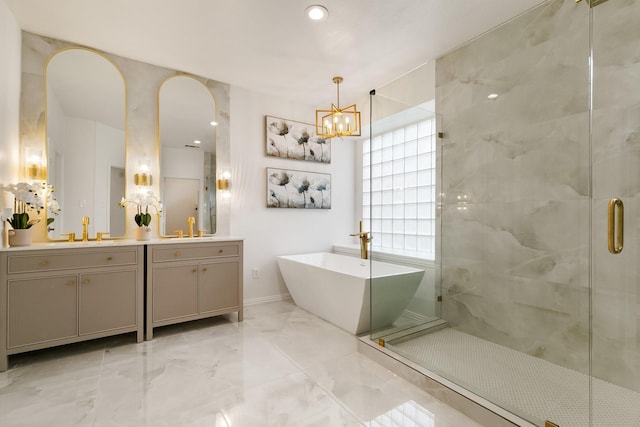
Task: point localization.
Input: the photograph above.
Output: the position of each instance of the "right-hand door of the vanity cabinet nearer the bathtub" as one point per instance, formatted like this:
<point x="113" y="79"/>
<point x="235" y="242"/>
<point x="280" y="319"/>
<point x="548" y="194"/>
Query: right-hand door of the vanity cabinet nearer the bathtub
<point x="219" y="285"/>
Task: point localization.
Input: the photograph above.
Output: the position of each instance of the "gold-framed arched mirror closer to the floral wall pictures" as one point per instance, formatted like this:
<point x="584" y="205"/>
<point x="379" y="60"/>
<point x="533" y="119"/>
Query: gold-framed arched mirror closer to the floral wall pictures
<point x="187" y="155"/>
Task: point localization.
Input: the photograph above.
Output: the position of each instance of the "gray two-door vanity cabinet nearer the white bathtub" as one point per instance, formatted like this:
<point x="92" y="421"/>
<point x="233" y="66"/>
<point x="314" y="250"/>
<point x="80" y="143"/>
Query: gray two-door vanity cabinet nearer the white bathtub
<point x="195" y="280"/>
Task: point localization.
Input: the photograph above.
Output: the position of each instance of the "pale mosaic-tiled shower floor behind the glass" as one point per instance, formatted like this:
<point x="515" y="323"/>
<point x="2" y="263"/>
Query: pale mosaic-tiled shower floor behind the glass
<point x="535" y="389"/>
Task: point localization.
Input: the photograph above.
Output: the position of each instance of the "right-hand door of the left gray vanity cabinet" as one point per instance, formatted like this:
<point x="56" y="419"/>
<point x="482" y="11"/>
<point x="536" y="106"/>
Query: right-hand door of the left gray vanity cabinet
<point x="107" y="301"/>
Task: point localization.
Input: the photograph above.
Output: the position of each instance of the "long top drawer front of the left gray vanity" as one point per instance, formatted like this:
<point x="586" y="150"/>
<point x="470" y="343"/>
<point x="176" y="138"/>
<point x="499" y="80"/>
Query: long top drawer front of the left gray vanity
<point x="34" y="262"/>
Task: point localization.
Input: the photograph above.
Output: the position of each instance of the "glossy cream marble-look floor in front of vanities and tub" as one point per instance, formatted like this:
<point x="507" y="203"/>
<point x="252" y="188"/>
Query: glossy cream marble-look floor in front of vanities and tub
<point x="280" y="367"/>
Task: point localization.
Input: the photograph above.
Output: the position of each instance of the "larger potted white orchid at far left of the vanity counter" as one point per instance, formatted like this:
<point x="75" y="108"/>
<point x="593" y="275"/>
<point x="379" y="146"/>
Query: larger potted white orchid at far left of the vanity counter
<point x="29" y="197"/>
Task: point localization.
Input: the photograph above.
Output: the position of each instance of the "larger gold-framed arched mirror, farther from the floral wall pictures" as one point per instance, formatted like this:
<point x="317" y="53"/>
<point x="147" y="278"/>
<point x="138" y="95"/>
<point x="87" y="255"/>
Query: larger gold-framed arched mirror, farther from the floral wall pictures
<point x="85" y="125"/>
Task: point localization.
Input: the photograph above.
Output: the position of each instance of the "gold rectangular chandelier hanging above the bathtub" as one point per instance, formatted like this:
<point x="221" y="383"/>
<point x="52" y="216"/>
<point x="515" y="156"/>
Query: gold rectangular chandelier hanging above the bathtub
<point x="338" y="121"/>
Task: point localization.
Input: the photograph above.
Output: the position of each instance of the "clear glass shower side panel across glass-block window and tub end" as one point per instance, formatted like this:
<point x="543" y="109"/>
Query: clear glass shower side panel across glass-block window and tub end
<point x="399" y="182"/>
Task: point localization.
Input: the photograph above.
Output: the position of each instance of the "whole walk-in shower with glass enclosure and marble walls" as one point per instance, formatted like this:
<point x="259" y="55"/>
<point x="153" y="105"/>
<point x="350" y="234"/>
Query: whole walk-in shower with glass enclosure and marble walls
<point x="509" y="186"/>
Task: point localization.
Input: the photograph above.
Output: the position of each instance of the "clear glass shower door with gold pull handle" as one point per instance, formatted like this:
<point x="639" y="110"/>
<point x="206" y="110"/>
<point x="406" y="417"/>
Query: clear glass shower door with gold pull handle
<point x="615" y="142"/>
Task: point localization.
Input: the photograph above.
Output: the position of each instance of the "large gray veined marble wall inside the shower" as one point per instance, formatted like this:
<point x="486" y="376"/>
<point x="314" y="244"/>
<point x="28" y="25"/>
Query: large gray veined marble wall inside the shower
<point x="524" y="236"/>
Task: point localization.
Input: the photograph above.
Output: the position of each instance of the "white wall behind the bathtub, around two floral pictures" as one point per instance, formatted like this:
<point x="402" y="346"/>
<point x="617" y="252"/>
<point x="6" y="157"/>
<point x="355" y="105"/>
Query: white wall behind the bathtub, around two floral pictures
<point x="270" y="232"/>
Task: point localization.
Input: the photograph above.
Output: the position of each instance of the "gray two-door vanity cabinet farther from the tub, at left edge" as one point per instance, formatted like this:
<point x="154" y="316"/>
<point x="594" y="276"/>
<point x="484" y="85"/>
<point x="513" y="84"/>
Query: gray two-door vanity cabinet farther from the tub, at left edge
<point x="63" y="295"/>
